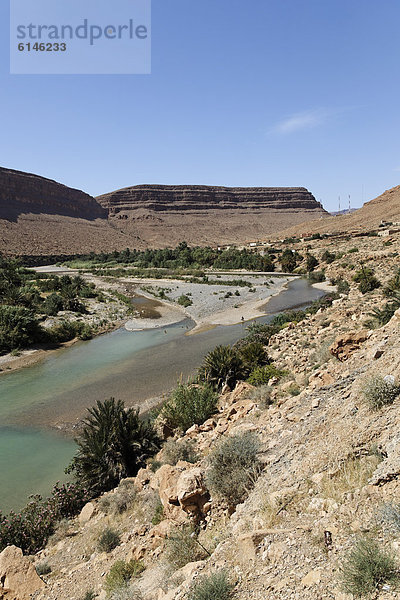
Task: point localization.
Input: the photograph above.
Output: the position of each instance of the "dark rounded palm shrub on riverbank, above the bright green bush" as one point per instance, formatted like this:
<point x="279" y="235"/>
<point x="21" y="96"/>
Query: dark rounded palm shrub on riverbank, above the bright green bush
<point x="221" y="366"/>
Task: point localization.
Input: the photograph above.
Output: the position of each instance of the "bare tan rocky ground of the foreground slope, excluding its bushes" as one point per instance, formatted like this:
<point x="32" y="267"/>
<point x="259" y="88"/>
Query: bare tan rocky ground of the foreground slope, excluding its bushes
<point x="330" y="465"/>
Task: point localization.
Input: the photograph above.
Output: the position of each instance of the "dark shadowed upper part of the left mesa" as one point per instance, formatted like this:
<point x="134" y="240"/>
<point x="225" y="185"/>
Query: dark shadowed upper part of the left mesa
<point x="22" y="193"/>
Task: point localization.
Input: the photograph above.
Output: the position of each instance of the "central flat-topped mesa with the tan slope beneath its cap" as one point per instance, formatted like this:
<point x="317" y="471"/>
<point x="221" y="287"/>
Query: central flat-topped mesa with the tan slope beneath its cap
<point x="203" y="215"/>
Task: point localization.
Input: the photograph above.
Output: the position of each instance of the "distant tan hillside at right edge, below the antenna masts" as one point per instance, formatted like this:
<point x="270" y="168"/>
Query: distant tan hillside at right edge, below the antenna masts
<point x="385" y="207"/>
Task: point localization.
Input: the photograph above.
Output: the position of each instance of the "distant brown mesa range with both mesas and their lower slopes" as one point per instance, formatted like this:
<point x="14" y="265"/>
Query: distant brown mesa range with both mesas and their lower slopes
<point x="39" y="216"/>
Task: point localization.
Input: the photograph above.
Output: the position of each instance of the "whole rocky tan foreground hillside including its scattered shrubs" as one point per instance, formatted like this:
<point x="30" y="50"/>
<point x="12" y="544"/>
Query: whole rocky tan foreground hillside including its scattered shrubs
<point x="315" y="516"/>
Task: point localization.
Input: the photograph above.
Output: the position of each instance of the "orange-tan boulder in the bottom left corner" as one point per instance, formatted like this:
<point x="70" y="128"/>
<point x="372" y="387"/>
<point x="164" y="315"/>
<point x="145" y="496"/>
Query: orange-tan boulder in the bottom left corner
<point x="18" y="577"/>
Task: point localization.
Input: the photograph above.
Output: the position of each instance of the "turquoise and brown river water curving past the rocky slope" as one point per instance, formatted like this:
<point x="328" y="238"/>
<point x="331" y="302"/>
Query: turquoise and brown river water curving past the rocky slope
<point x="132" y="366"/>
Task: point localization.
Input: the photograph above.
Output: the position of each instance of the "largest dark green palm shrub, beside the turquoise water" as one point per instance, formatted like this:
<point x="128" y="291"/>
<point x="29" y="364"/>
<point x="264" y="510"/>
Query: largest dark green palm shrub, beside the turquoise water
<point x="113" y="444"/>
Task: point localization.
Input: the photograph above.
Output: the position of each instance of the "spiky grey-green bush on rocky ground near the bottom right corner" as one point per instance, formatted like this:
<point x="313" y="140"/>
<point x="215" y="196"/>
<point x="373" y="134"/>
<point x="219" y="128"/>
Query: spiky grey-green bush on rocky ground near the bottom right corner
<point x="366" y="568"/>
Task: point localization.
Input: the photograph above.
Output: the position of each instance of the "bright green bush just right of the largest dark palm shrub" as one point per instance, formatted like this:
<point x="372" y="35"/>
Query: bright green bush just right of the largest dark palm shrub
<point x="189" y="405"/>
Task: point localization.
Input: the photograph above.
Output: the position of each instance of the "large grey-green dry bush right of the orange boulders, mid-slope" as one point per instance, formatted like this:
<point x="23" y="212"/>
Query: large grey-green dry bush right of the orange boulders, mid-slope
<point x="234" y="467"/>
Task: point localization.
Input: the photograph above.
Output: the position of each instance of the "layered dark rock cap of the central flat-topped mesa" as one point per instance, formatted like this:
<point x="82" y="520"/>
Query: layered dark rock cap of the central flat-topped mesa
<point x="171" y="198"/>
